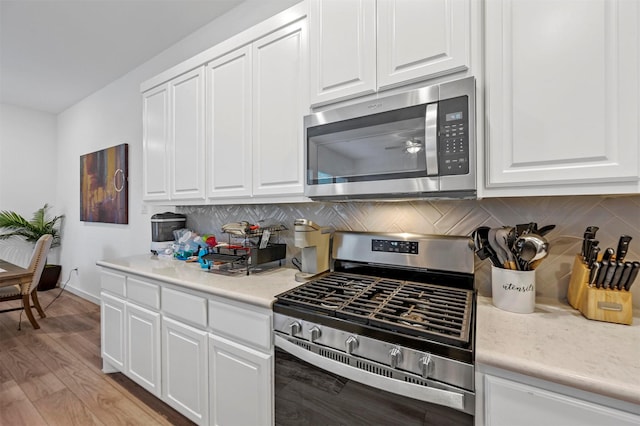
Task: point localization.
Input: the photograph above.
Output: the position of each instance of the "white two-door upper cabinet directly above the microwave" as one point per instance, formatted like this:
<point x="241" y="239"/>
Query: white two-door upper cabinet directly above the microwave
<point x="361" y="46"/>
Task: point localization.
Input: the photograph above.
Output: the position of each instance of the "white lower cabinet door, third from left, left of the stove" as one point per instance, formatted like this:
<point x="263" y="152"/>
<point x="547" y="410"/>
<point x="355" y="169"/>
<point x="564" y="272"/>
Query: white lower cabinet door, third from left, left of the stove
<point x="185" y="370"/>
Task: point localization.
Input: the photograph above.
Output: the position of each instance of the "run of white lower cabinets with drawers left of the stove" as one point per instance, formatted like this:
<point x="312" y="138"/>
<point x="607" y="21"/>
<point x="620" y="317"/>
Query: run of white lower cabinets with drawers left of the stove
<point x="208" y="357"/>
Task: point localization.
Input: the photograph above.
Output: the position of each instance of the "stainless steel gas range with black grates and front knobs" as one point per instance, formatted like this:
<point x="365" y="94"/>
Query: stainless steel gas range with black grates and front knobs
<point x="386" y="337"/>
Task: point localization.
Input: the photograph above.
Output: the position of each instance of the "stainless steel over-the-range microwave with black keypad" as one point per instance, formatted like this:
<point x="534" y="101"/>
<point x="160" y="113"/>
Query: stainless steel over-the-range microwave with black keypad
<point x="417" y="144"/>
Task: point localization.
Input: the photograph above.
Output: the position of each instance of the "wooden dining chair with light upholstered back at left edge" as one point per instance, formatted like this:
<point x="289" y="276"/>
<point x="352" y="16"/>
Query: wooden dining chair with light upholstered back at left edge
<point x="24" y="291"/>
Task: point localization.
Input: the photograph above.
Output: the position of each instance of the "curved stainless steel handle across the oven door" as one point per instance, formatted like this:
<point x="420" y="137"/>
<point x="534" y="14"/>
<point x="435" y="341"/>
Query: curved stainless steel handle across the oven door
<point x="428" y="394"/>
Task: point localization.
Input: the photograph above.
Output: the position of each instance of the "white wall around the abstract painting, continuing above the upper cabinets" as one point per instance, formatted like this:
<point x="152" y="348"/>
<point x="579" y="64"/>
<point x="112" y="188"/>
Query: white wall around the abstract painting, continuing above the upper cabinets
<point x="113" y="116"/>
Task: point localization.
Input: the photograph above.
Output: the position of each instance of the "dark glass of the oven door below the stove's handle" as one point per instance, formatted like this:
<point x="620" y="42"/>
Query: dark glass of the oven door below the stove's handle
<point x="307" y="395"/>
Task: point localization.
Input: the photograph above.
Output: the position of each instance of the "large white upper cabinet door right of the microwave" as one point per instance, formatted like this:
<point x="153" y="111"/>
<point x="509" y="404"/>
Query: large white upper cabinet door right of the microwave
<point x="562" y="93"/>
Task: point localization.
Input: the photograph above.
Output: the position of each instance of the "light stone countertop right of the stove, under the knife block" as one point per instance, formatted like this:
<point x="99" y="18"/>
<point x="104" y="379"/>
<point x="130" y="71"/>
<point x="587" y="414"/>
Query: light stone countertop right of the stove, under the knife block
<point x="556" y="343"/>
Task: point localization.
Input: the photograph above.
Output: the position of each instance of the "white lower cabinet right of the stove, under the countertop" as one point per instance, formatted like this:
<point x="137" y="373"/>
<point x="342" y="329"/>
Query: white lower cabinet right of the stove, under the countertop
<point x="511" y="399"/>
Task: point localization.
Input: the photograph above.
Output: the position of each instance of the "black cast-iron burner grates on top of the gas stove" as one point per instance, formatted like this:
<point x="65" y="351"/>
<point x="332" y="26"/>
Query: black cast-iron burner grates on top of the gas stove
<point x="406" y="307"/>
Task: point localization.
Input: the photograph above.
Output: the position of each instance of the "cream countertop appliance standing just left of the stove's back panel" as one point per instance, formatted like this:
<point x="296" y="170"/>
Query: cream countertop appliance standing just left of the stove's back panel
<point x="314" y="241"/>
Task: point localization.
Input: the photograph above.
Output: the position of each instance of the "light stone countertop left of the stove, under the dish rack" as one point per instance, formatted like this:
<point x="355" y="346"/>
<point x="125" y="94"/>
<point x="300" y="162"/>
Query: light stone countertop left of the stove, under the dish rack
<point x="259" y="288"/>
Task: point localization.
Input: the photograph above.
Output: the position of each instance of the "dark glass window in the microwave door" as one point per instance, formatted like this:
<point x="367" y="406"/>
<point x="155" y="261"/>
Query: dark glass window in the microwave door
<point x="388" y="145"/>
